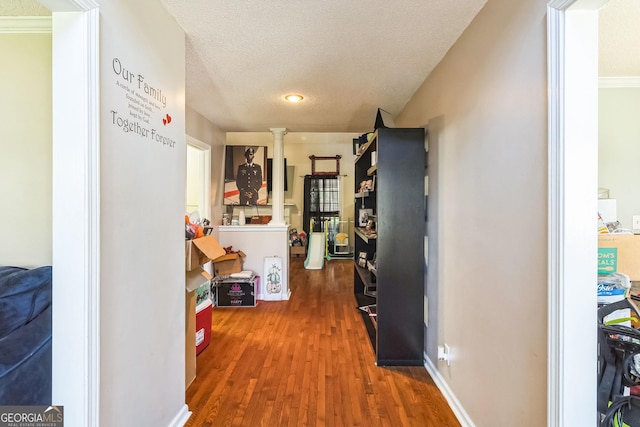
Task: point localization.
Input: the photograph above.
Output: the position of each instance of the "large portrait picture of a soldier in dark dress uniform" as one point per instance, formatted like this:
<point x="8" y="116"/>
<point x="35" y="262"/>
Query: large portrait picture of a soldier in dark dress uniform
<point x="245" y="175"/>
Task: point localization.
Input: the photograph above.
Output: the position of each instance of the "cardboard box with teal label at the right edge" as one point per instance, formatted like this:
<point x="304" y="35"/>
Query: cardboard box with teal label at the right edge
<point x="619" y="253"/>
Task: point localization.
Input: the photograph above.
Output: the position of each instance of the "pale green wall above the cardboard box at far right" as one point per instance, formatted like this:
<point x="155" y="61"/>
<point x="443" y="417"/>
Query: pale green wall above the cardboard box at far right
<point x="618" y="149"/>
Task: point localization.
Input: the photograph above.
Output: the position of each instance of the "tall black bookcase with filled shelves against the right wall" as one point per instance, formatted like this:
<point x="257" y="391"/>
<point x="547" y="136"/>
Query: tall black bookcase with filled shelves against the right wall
<point x="393" y="243"/>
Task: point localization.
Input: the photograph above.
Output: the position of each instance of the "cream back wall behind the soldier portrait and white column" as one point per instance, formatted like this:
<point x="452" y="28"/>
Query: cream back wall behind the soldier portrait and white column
<point x="297" y="149"/>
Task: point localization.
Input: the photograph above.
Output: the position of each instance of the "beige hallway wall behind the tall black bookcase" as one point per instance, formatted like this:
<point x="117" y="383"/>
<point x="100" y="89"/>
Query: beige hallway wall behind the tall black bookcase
<point x="485" y="108"/>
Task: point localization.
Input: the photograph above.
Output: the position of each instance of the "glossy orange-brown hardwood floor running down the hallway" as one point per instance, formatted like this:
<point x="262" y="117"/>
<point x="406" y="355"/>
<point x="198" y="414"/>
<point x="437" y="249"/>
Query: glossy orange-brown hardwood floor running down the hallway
<point x="306" y="362"/>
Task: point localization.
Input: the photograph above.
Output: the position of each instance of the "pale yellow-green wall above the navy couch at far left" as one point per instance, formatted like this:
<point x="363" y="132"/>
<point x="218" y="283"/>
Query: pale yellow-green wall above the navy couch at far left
<point x="25" y="149"/>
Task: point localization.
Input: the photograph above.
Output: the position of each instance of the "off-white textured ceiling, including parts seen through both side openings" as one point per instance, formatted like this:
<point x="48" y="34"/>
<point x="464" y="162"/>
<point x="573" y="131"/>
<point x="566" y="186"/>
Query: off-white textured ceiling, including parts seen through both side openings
<point x="347" y="58"/>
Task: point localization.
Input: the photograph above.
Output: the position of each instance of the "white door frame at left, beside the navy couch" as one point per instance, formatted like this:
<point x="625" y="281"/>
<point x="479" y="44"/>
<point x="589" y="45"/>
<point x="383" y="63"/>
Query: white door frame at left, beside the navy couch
<point x="76" y="209"/>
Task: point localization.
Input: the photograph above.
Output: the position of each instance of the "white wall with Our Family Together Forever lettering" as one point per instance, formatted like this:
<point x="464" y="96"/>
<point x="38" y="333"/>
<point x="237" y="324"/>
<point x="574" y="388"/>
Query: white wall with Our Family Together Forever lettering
<point x="142" y="214"/>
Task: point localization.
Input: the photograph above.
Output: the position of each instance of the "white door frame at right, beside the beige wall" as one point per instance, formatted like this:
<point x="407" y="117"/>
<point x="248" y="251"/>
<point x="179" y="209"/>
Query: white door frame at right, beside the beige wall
<point x="573" y="165"/>
